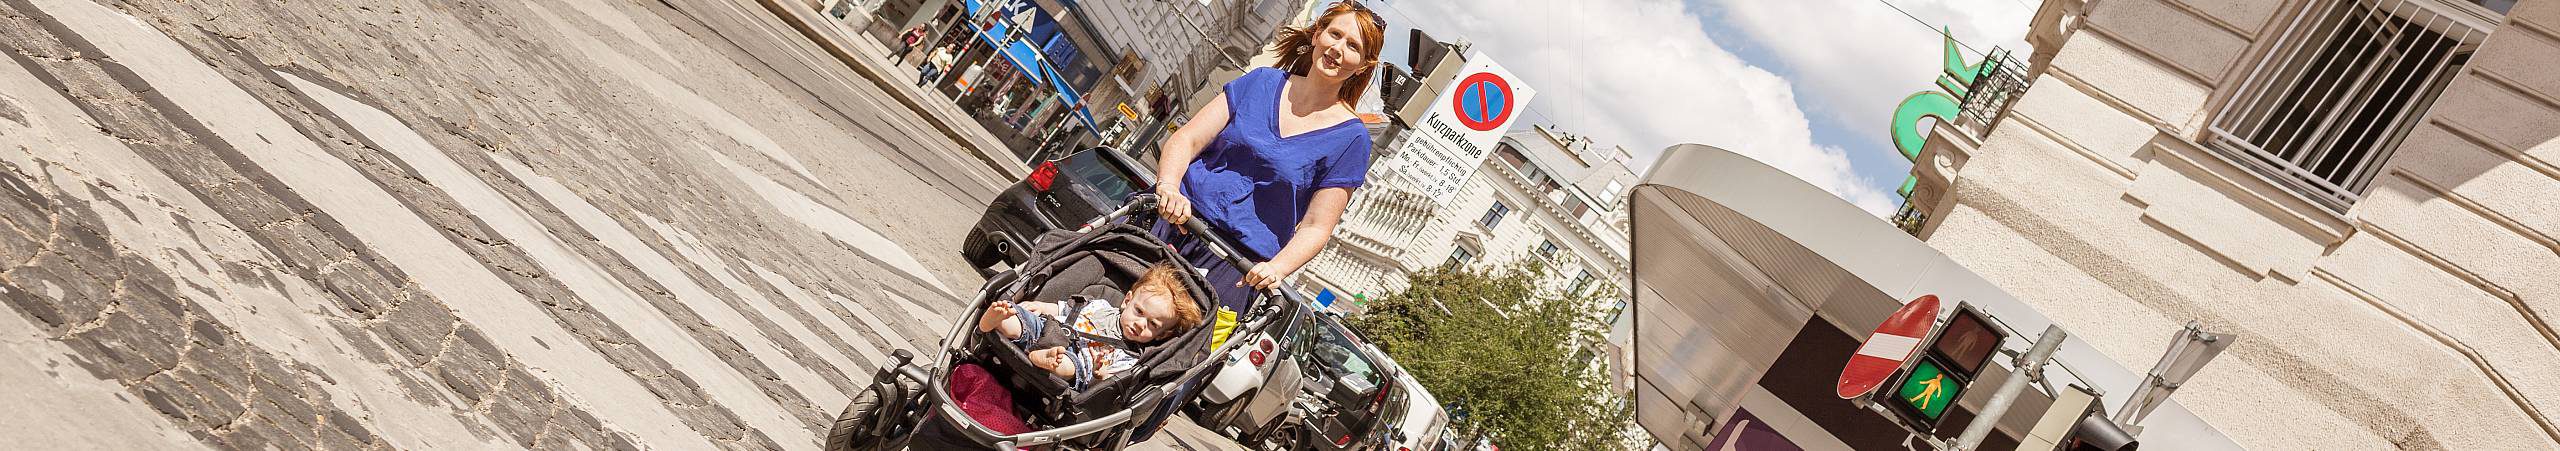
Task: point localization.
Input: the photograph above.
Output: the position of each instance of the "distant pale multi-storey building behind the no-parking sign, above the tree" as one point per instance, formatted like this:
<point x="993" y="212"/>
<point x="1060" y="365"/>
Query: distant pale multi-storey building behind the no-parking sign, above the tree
<point x="1545" y="196"/>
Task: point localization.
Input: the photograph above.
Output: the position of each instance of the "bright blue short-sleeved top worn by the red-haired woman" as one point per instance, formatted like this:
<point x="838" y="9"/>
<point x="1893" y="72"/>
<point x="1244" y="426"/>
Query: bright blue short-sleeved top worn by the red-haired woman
<point x="1253" y="183"/>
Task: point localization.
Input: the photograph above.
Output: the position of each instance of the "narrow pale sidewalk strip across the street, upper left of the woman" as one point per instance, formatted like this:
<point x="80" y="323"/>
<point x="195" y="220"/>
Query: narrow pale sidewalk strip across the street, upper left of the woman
<point x="872" y="60"/>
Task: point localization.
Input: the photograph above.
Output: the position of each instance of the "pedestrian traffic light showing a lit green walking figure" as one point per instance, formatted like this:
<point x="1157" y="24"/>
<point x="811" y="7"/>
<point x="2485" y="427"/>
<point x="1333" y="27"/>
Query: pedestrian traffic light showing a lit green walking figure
<point x="1949" y="363"/>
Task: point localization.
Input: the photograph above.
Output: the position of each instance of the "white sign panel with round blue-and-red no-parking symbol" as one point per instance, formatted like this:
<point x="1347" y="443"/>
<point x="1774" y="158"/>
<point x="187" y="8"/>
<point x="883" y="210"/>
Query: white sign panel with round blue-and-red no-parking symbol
<point x="1460" y="129"/>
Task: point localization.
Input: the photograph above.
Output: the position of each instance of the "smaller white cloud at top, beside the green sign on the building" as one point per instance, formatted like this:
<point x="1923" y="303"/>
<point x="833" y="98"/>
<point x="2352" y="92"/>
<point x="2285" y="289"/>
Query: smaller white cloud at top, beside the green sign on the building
<point x="1860" y="58"/>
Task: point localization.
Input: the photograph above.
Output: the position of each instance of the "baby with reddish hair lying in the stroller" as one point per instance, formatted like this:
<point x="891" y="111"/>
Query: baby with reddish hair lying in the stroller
<point x="1158" y="306"/>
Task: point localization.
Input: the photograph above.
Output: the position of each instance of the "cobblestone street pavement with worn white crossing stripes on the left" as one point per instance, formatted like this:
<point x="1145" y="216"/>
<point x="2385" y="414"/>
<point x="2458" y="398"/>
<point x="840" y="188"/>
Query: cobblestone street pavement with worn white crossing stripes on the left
<point x="449" y="224"/>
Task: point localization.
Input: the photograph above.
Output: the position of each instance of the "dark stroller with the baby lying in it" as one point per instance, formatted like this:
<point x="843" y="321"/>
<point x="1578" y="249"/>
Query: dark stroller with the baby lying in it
<point x="910" y="404"/>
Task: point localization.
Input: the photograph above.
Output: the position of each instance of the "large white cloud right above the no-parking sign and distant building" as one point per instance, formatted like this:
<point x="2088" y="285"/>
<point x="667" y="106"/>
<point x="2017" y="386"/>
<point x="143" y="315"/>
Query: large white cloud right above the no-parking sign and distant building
<point x="1645" y="73"/>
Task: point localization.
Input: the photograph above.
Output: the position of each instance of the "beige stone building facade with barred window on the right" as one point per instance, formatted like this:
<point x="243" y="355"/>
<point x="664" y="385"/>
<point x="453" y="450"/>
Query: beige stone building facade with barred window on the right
<point x="2362" y="191"/>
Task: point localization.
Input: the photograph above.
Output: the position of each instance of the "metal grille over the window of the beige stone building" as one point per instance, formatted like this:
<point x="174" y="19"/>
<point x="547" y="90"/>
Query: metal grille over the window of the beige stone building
<point x="2344" y="86"/>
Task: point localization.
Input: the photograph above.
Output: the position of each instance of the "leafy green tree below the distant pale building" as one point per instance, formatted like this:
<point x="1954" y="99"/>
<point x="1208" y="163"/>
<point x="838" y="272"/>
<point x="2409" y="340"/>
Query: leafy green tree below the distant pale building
<point x="1509" y="352"/>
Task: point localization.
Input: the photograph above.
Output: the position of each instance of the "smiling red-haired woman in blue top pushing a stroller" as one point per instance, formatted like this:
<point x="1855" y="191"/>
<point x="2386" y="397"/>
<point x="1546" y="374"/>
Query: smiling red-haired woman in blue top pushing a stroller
<point x="1274" y="160"/>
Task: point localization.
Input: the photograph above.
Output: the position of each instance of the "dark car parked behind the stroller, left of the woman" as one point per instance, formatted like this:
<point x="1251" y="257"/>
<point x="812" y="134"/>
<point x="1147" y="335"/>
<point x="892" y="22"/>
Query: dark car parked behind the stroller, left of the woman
<point x="1061" y="193"/>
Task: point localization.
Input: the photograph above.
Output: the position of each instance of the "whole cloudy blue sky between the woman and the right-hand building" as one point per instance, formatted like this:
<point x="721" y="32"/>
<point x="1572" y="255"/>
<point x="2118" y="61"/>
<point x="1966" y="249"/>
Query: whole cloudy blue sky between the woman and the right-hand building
<point x="1801" y="86"/>
